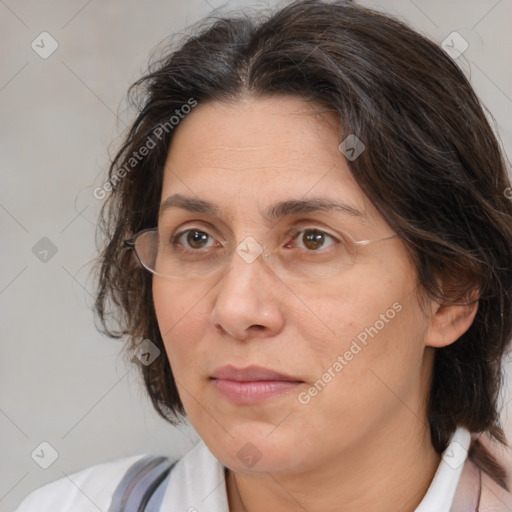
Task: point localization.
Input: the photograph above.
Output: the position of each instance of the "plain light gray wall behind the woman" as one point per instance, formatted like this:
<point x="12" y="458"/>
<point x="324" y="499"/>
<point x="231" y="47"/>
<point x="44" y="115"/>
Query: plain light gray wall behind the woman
<point x="61" y="381"/>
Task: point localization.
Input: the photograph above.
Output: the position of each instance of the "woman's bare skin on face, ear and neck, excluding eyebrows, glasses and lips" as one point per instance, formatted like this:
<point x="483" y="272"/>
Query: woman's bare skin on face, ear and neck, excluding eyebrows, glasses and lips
<point x="364" y="440"/>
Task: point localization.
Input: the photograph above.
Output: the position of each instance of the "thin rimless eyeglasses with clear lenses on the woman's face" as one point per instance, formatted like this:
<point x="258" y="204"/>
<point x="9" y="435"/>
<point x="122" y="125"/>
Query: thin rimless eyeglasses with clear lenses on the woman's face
<point x="307" y="253"/>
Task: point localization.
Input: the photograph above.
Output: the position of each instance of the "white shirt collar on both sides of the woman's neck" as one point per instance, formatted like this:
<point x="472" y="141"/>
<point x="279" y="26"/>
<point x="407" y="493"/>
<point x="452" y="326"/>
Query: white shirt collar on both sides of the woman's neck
<point x="198" y="482"/>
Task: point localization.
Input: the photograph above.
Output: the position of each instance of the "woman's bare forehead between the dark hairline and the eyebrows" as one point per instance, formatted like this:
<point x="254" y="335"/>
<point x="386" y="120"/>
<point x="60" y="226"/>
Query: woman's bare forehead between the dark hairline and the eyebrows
<point x="259" y="152"/>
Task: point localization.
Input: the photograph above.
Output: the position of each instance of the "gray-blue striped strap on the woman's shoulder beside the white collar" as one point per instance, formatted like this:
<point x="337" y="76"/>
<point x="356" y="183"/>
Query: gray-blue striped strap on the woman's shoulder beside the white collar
<point x="143" y="486"/>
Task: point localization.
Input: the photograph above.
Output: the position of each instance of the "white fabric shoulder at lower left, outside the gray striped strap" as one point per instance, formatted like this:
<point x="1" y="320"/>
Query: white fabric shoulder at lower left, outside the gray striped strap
<point x="88" y="490"/>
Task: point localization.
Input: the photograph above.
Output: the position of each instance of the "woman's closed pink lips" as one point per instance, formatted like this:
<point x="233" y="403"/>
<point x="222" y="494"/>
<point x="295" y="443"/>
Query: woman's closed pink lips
<point x="253" y="384"/>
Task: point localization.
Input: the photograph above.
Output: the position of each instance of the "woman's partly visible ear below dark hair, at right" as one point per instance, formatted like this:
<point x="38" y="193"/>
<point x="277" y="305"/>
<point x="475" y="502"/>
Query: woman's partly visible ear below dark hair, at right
<point x="449" y="322"/>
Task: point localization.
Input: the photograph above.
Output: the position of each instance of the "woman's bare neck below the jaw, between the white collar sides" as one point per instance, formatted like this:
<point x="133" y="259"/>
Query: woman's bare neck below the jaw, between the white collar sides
<point x="384" y="475"/>
